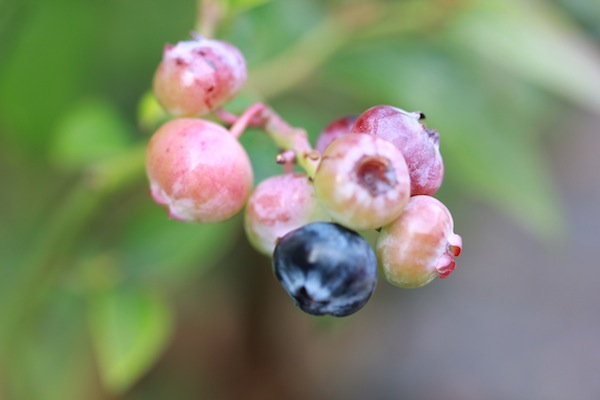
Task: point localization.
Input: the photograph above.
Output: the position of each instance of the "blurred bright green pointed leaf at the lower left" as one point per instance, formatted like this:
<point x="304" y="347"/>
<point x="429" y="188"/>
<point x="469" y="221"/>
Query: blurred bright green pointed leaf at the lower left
<point x="130" y="327"/>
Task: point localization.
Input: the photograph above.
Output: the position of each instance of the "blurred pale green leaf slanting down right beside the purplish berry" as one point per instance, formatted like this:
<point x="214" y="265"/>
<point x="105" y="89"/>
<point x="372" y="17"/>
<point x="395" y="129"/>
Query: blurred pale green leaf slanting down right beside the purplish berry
<point x="511" y="175"/>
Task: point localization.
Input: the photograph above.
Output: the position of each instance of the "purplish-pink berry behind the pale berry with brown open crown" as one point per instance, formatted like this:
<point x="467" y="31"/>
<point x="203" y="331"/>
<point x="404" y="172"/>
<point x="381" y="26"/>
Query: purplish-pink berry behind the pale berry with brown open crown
<point x="418" y="145"/>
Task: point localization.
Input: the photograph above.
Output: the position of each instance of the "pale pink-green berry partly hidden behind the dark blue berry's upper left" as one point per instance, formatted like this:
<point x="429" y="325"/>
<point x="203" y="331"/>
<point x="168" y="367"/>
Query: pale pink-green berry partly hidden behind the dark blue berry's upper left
<point x="278" y="205"/>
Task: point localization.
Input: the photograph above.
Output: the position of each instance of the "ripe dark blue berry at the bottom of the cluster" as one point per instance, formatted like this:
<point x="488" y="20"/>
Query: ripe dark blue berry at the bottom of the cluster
<point x="326" y="269"/>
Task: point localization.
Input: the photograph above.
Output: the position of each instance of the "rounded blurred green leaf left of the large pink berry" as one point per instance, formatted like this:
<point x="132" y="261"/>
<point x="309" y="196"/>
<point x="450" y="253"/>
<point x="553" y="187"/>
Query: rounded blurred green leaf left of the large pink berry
<point x="89" y="132"/>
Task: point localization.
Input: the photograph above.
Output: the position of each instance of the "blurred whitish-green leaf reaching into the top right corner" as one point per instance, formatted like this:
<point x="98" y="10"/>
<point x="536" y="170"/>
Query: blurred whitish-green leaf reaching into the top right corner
<point x="536" y="42"/>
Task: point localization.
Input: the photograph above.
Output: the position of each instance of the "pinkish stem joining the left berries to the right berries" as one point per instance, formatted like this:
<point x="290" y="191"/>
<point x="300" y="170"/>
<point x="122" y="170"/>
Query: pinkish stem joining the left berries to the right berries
<point x="286" y="137"/>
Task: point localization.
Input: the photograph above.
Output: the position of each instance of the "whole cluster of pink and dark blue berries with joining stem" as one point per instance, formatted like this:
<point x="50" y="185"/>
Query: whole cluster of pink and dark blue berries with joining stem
<point x="375" y="171"/>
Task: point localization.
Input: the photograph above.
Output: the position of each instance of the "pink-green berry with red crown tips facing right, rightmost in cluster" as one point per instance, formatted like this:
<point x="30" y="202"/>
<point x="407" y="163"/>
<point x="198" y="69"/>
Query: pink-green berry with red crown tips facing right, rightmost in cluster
<point x="419" y="245"/>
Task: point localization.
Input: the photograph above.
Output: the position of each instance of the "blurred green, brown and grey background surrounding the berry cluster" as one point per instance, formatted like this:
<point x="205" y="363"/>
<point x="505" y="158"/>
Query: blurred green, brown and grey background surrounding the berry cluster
<point x="103" y="297"/>
